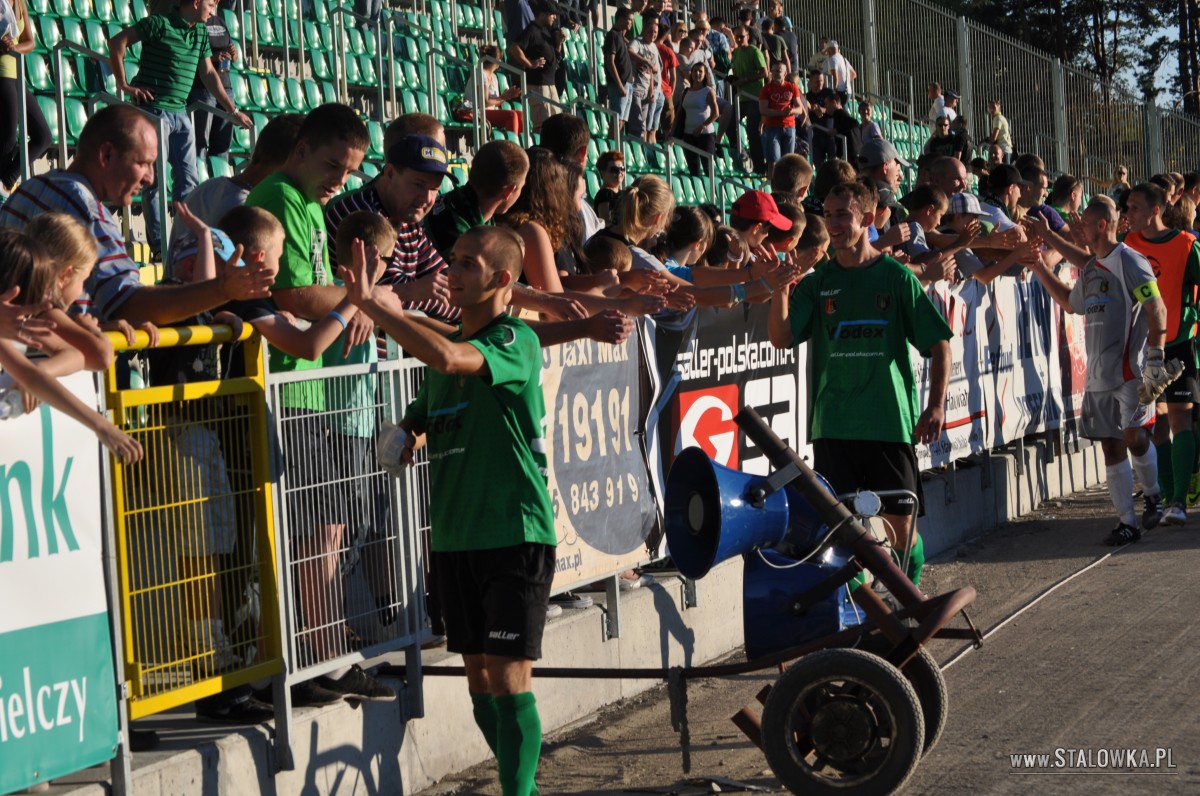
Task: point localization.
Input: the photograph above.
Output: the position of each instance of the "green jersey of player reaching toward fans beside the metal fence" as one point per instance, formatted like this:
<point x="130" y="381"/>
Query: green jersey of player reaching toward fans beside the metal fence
<point x="488" y="446"/>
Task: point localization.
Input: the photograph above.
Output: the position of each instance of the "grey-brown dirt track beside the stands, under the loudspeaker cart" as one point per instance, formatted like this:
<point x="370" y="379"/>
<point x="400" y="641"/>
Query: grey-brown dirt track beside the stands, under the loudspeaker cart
<point x="1108" y="660"/>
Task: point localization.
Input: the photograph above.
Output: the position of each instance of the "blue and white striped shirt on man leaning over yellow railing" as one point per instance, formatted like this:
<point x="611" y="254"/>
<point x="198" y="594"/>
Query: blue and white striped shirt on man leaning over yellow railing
<point x="116" y="276"/>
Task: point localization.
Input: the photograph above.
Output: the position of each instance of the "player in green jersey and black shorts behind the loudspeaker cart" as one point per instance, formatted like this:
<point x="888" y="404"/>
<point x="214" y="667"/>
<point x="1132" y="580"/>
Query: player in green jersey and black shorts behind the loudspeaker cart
<point x="861" y="313"/>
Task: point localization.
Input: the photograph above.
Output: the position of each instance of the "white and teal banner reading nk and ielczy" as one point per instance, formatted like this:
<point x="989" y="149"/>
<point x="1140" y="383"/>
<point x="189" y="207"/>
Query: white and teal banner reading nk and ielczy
<point x="58" y="697"/>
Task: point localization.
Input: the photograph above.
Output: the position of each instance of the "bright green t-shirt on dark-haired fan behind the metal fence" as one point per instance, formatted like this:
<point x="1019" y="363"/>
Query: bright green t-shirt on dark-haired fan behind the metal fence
<point x="304" y="264"/>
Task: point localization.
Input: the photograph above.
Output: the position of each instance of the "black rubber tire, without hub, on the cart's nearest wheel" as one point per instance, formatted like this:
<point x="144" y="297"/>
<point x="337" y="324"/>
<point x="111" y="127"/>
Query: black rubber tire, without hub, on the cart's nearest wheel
<point x="891" y="692"/>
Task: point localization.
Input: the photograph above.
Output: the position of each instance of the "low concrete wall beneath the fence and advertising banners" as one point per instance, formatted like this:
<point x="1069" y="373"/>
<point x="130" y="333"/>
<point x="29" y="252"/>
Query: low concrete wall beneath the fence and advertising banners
<point x="371" y="750"/>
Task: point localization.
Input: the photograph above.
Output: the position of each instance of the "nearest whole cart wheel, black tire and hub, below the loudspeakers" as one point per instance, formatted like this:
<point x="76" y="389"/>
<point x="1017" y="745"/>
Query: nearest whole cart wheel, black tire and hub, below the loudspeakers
<point x="843" y="722"/>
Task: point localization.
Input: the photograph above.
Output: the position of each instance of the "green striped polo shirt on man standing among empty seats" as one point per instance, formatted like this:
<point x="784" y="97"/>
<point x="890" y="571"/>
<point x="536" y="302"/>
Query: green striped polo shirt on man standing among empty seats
<point x="172" y="50"/>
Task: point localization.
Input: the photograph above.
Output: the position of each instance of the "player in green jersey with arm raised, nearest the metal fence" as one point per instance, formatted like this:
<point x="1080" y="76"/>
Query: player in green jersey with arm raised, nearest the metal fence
<point x="493" y="522"/>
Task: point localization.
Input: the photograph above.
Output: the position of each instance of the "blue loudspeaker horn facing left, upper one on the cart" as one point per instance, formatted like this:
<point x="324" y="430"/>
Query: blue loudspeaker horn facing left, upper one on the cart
<point x="711" y="516"/>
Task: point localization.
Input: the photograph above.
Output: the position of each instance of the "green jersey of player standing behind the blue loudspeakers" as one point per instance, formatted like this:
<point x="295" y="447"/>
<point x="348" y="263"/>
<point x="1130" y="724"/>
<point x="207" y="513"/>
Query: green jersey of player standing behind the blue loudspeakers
<point x="860" y="324"/>
